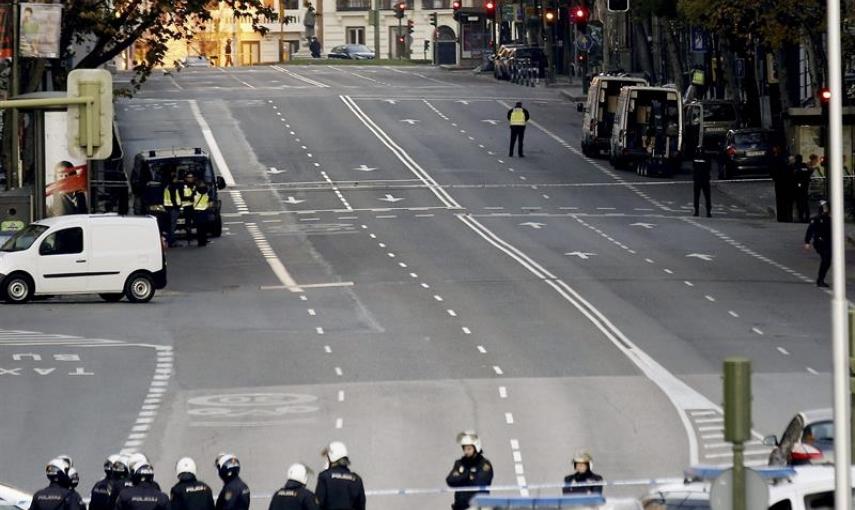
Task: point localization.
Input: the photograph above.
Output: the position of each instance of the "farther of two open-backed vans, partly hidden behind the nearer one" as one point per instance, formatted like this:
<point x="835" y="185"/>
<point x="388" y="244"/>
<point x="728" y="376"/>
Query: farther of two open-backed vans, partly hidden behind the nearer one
<point x="599" y="110"/>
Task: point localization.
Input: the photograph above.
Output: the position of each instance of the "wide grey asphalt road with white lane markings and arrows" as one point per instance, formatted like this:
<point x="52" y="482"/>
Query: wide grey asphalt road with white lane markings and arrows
<point x="388" y="277"/>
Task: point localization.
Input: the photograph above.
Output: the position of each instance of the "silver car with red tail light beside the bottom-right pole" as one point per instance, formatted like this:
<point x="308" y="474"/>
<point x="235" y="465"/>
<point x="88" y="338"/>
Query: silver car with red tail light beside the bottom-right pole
<point x="808" y="439"/>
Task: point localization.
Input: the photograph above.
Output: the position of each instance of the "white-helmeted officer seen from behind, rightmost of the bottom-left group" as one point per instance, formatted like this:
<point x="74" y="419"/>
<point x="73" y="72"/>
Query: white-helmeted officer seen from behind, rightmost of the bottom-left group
<point x="338" y="487"/>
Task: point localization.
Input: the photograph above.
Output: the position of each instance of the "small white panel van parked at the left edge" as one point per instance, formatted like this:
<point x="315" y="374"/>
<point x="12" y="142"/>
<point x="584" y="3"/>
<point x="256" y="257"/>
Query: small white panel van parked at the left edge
<point x="105" y="254"/>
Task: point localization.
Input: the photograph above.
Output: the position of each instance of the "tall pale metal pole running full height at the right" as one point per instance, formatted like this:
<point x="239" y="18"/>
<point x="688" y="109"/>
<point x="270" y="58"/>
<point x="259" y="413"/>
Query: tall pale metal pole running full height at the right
<point x="840" y="346"/>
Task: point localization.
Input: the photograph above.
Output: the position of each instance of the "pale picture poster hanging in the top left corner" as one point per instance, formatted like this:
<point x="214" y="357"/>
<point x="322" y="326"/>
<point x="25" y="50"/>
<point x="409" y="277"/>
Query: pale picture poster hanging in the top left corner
<point x="40" y="30"/>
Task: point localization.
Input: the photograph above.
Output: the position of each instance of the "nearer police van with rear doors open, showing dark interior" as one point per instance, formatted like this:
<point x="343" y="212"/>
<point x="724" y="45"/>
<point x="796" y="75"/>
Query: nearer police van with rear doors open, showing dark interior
<point x="648" y="127"/>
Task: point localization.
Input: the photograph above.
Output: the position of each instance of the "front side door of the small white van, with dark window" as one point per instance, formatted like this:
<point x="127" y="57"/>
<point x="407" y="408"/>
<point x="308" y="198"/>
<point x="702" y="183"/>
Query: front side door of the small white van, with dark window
<point x="63" y="266"/>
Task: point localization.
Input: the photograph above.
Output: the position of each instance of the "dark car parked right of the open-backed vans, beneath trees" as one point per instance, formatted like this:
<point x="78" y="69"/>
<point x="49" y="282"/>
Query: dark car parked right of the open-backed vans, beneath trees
<point x="748" y="151"/>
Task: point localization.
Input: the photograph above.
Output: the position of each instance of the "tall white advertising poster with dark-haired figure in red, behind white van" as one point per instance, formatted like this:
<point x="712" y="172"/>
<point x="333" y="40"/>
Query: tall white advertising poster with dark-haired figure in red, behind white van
<point x="66" y="176"/>
